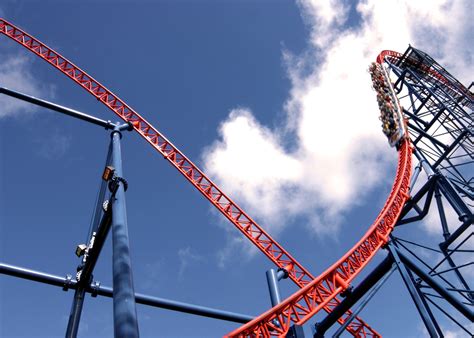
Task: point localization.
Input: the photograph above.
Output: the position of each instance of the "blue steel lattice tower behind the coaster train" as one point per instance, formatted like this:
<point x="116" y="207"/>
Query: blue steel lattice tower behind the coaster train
<point x="437" y="268"/>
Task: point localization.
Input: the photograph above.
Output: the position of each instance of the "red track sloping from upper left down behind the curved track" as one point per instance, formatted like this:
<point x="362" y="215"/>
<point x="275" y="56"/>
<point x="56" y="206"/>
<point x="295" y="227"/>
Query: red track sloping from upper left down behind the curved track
<point x="254" y="232"/>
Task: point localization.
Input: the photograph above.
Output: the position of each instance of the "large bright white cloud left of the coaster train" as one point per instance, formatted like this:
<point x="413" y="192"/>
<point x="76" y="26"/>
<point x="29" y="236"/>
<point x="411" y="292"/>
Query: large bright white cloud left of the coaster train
<point x="340" y="153"/>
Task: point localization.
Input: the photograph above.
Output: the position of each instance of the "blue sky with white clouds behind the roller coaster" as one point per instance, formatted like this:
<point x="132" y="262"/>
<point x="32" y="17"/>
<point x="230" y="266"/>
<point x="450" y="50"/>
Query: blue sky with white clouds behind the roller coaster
<point x="271" y="98"/>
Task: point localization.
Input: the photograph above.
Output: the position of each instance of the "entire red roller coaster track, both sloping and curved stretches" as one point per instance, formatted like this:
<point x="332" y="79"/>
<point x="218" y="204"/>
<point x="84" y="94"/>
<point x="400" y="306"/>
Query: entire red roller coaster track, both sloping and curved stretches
<point x="315" y="294"/>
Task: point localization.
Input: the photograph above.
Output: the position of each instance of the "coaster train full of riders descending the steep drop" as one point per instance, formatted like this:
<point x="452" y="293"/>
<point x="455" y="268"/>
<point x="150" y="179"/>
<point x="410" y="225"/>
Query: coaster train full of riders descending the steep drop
<point x="393" y="122"/>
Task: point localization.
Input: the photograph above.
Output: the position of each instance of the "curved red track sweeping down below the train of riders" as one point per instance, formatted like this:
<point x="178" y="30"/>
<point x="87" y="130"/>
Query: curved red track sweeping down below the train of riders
<point x="322" y="291"/>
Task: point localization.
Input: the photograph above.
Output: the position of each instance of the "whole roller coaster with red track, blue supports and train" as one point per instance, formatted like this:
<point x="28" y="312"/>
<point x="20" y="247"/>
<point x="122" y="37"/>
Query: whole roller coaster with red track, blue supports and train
<point x="426" y="115"/>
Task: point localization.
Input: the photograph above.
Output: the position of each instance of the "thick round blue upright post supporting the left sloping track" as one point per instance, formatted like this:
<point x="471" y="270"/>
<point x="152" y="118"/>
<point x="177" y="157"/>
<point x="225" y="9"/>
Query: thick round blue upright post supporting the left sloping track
<point x="125" y="312"/>
